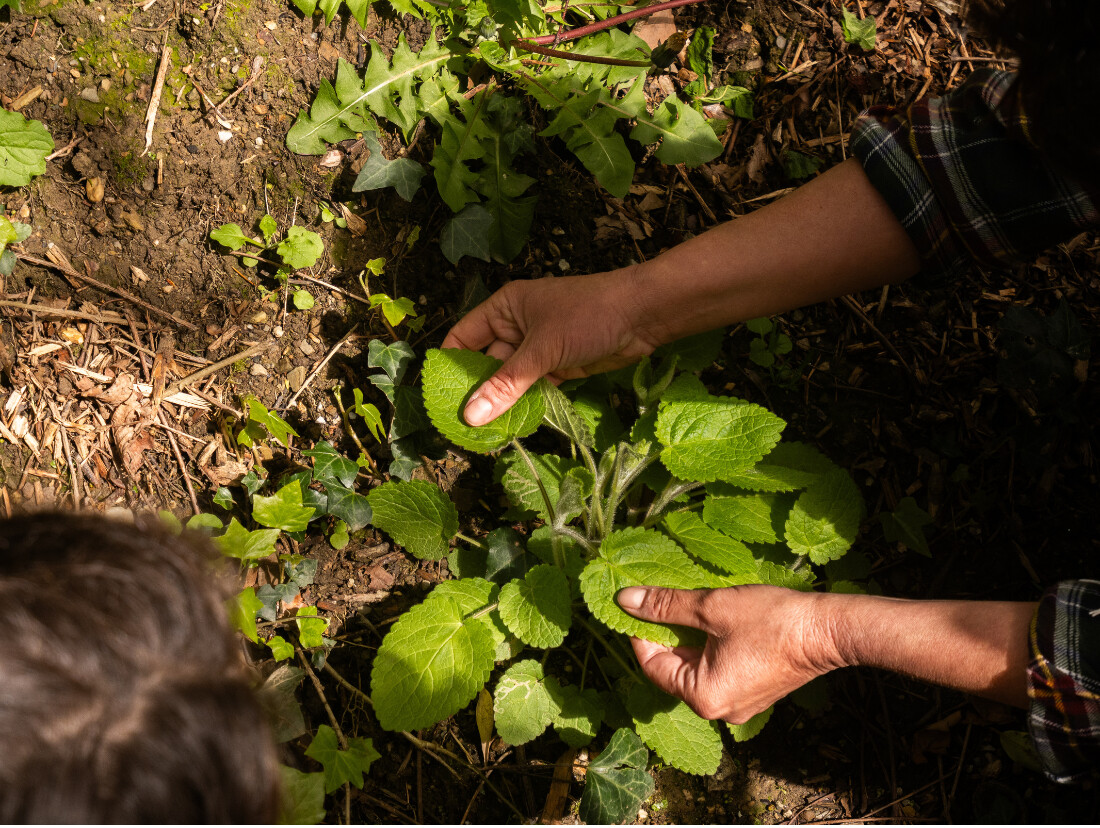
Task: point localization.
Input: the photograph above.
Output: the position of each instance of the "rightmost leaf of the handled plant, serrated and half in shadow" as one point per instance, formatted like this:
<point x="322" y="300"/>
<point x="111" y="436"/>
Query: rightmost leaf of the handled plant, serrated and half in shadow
<point x="826" y="520"/>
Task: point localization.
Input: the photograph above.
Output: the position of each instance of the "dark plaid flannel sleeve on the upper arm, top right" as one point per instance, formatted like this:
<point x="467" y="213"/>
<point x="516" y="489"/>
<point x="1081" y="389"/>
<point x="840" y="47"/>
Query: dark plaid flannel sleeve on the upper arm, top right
<point x="966" y="181"/>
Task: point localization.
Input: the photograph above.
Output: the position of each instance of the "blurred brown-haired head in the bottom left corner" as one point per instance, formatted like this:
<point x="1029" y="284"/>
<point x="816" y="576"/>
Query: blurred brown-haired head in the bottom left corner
<point x="123" y="697"/>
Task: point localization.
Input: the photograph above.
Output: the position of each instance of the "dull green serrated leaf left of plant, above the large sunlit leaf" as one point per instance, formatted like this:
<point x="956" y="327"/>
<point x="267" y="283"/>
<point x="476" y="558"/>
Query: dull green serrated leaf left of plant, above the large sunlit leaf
<point x="416" y="515"/>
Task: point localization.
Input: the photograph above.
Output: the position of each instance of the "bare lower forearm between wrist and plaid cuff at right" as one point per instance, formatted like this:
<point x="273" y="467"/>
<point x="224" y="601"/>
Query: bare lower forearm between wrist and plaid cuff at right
<point x="975" y="647"/>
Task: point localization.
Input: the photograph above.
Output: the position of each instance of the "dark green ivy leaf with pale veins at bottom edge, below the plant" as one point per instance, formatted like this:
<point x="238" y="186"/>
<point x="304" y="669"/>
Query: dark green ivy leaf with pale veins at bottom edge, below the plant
<point x="618" y="782"/>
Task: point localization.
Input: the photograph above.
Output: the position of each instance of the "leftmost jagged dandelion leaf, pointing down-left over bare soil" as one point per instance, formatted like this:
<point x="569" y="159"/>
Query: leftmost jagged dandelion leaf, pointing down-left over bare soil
<point x="387" y="90"/>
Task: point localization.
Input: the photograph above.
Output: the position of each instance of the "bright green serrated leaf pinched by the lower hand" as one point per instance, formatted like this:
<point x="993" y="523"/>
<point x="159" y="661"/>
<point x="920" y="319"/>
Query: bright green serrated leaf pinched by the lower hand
<point x="637" y="558"/>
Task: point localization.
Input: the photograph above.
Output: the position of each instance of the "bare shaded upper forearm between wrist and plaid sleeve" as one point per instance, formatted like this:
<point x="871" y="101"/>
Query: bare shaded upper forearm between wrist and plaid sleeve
<point x="832" y="237"/>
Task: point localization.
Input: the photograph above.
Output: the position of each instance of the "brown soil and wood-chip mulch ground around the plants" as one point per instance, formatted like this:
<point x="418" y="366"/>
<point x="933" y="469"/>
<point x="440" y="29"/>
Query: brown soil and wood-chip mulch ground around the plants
<point x="908" y="389"/>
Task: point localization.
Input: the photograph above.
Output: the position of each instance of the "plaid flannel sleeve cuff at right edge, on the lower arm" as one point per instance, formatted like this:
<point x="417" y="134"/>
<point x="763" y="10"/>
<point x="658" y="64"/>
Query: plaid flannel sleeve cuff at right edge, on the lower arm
<point x="1064" y="680"/>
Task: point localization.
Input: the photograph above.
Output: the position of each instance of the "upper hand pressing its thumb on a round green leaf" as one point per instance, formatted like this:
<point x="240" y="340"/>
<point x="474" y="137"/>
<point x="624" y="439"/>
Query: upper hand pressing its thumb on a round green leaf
<point x="562" y="328"/>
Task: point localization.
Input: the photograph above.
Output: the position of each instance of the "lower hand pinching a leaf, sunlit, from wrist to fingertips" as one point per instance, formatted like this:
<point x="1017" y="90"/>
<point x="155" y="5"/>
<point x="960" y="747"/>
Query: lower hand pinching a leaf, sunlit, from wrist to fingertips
<point x="763" y="644"/>
